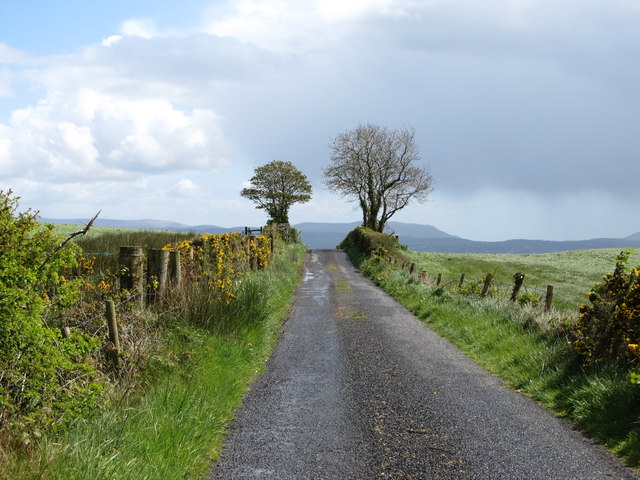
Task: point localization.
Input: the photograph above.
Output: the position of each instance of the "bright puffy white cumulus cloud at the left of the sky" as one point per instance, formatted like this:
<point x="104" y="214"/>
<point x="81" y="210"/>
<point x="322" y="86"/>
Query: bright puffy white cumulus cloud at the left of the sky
<point x="92" y="135"/>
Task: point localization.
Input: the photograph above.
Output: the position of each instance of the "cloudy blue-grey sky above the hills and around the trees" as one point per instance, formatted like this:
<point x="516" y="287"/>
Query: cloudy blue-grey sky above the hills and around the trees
<point x="526" y="112"/>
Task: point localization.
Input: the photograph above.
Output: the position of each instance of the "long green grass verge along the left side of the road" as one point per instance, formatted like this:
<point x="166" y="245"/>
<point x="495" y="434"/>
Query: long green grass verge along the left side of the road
<point x="174" y="426"/>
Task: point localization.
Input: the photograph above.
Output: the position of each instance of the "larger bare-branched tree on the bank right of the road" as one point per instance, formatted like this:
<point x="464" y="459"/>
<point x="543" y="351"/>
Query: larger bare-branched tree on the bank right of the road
<point x="376" y="167"/>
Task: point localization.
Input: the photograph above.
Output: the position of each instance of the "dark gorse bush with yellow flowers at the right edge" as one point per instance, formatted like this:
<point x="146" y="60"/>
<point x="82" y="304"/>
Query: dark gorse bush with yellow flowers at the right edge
<point x="609" y="327"/>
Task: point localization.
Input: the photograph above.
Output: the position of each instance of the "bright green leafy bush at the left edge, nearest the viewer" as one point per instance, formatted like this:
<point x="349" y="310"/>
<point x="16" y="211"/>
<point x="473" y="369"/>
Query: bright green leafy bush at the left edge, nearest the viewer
<point x="45" y="379"/>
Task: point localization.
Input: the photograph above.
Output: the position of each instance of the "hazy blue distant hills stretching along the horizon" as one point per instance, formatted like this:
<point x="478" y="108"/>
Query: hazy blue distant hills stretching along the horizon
<point x="420" y="238"/>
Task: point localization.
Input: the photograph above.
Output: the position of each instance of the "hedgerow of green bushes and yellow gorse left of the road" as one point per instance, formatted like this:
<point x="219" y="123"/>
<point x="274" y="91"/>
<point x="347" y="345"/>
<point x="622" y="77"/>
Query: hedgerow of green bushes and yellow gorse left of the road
<point x="52" y="330"/>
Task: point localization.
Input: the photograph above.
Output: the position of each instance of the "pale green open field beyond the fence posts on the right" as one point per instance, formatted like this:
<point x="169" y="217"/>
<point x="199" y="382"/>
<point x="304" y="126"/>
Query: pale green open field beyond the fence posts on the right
<point x="572" y="273"/>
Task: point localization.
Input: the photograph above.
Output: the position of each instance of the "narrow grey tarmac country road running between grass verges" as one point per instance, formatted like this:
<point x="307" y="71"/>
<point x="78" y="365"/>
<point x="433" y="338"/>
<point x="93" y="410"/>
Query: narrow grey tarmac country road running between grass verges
<point x="358" y="388"/>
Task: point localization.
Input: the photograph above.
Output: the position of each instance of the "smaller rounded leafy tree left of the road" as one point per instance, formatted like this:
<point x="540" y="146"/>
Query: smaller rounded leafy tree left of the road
<point x="275" y="187"/>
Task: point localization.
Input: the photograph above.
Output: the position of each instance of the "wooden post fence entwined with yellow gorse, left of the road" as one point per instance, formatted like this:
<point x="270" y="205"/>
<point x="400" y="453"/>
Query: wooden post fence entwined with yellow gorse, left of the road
<point x="121" y="290"/>
